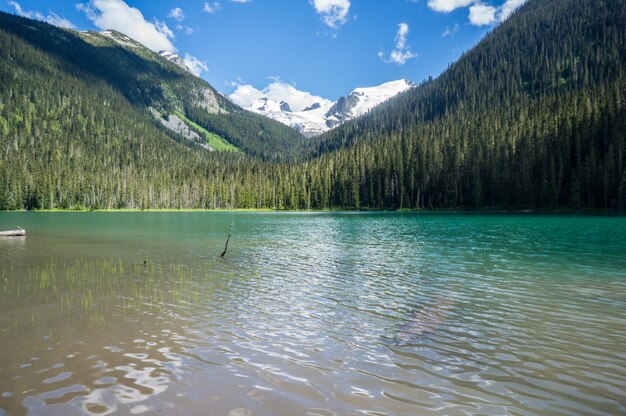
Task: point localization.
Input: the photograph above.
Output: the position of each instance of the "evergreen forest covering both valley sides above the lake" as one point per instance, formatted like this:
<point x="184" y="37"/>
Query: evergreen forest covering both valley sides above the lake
<point x="533" y="117"/>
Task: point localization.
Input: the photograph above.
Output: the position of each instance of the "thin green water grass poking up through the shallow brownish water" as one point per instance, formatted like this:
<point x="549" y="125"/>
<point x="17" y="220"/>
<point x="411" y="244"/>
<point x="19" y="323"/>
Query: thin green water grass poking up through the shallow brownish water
<point x="93" y="289"/>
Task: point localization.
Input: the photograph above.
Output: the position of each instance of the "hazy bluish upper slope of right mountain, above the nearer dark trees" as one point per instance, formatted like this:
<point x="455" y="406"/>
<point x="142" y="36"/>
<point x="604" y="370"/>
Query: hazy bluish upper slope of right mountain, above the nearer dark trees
<point x="545" y="48"/>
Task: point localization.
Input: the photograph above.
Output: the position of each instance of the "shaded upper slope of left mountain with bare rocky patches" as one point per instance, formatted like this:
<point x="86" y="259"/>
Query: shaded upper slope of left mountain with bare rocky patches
<point x="149" y="81"/>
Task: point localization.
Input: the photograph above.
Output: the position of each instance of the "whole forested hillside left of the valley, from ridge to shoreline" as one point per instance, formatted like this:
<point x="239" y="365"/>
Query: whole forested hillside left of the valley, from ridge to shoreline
<point x="75" y="130"/>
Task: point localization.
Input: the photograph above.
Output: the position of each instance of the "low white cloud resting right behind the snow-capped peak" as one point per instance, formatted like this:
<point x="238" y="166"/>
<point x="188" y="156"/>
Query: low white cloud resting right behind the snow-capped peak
<point x="246" y="95"/>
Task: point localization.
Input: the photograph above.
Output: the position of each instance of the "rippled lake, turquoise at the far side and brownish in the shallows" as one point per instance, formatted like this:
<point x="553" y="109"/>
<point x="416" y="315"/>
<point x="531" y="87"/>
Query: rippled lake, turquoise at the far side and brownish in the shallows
<point x="313" y="314"/>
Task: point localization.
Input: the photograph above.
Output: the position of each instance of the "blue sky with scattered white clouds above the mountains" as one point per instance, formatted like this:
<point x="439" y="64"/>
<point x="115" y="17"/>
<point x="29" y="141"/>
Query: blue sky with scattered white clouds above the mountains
<point x="324" y="47"/>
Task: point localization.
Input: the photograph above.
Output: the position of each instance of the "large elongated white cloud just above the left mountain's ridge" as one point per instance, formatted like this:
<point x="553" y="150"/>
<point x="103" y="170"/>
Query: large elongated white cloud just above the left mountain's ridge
<point x="117" y="15"/>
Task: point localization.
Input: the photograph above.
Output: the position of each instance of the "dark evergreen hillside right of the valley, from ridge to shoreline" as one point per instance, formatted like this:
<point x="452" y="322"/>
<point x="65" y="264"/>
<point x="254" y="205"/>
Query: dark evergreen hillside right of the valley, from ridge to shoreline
<point x="533" y="116"/>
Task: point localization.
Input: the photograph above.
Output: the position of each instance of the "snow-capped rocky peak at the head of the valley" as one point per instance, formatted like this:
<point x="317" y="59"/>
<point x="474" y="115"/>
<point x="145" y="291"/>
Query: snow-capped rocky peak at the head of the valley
<point x="322" y="115"/>
